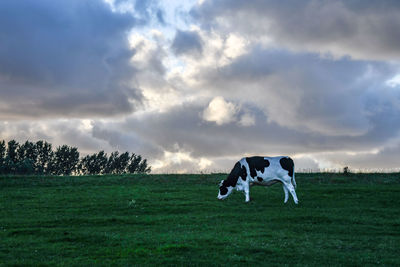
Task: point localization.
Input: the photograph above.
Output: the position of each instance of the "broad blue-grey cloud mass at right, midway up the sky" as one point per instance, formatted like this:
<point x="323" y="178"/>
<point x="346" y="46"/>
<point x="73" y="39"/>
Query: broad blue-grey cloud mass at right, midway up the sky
<point x="303" y="91"/>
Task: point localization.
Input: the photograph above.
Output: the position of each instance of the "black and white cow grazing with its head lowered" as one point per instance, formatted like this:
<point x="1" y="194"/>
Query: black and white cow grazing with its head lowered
<point x="264" y="171"/>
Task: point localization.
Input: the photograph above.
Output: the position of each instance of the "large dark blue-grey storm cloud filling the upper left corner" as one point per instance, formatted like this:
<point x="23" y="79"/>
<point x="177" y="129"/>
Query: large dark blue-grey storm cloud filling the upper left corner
<point x="65" y="58"/>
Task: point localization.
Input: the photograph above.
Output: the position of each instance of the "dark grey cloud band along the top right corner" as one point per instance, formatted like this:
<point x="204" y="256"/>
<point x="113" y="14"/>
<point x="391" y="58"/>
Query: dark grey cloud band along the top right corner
<point x="361" y="29"/>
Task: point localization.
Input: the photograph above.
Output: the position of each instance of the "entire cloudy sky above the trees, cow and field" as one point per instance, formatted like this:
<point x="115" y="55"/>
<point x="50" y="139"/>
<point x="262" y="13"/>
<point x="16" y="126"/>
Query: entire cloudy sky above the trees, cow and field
<point x="194" y="87"/>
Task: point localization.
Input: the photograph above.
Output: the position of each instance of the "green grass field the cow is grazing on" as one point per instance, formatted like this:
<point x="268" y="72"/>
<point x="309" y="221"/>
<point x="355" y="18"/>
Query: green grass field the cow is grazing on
<point x="177" y="220"/>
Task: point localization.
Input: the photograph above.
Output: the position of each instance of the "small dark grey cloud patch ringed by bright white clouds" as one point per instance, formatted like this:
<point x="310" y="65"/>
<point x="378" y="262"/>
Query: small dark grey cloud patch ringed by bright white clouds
<point x="186" y="42"/>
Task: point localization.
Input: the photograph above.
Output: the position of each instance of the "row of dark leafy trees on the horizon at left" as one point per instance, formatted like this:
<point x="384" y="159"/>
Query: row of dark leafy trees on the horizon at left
<point x="40" y="159"/>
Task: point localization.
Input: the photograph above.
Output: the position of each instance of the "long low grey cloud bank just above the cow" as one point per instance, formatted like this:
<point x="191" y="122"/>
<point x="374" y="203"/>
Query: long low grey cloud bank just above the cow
<point x="183" y="127"/>
